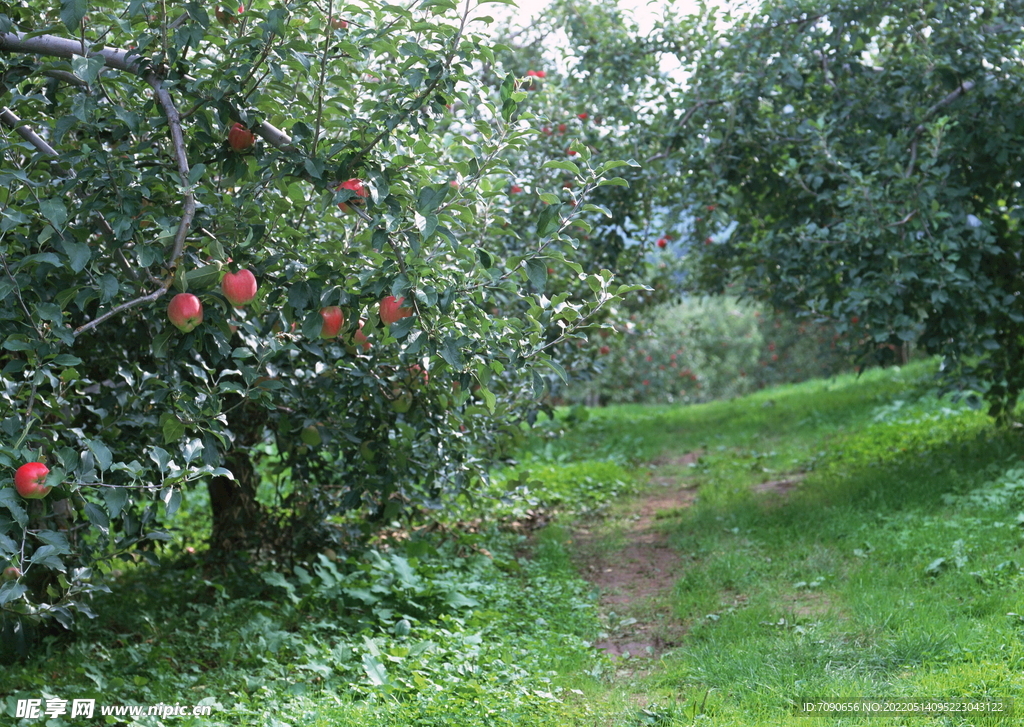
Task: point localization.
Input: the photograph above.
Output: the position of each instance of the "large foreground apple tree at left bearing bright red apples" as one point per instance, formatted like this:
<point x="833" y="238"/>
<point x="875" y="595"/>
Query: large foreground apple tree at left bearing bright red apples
<point x="356" y="158"/>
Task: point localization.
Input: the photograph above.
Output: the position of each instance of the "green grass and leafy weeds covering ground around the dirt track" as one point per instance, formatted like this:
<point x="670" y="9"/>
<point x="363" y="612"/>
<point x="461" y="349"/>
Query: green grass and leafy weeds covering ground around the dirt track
<point x="892" y="572"/>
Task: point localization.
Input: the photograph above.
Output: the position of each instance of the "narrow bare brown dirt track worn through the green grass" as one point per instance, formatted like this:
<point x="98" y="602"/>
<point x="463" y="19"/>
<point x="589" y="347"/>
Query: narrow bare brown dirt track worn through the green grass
<point x="629" y="559"/>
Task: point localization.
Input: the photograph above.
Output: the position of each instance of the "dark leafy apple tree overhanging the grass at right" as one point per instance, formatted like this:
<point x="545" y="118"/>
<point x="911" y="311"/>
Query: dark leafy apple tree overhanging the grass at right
<point x="864" y="164"/>
